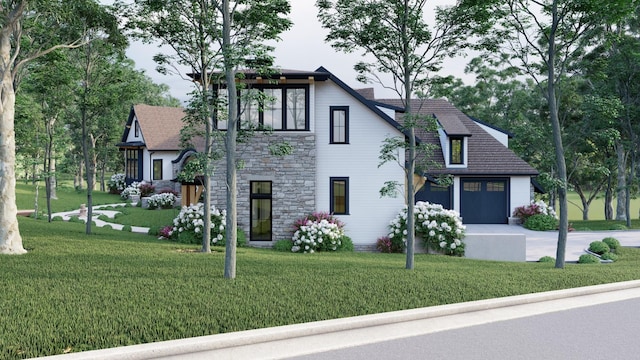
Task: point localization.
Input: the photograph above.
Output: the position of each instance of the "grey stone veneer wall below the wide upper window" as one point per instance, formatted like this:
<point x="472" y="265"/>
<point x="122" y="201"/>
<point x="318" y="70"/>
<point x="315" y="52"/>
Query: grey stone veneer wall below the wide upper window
<point x="293" y="180"/>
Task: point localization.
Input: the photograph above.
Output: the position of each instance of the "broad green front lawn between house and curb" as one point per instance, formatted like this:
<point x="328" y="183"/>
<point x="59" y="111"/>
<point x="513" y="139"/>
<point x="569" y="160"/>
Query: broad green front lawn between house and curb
<point x="74" y="292"/>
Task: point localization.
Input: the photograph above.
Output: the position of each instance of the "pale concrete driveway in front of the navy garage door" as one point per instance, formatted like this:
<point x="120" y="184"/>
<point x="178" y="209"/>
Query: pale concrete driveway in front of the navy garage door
<point x="544" y="243"/>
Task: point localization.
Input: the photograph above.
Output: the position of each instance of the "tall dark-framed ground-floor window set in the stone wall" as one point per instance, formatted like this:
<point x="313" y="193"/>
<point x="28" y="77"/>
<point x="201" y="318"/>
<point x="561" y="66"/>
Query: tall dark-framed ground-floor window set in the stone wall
<point x="261" y="209"/>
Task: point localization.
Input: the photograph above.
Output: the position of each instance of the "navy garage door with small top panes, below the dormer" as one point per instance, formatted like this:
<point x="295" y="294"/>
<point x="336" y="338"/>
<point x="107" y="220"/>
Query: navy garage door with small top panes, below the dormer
<point x="484" y="201"/>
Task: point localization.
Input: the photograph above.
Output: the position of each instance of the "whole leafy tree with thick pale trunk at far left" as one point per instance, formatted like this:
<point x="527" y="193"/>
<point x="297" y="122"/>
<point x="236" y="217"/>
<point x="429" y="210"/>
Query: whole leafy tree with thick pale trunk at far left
<point x="29" y="30"/>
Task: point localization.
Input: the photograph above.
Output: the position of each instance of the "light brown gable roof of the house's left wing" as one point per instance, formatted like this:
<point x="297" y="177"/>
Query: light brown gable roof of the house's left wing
<point x="159" y="125"/>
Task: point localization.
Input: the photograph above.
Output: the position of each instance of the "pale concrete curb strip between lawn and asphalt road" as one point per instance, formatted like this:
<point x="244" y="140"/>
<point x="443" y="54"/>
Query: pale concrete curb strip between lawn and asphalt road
<point x="275" y="342"/>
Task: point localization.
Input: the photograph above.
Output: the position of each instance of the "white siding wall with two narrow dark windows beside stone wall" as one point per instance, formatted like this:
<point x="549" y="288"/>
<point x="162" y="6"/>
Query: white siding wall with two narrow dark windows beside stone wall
<point x="369" y="214"/>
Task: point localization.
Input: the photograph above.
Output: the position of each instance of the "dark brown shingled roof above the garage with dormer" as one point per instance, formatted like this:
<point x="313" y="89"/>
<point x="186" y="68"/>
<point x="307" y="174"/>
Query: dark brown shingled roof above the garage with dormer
<point x="486" y="155"/>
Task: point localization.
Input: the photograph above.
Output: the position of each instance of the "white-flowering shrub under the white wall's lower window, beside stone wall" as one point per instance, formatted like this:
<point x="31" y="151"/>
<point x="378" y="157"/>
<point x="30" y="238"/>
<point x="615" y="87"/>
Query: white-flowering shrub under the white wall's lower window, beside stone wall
<point x="319" y="231"/>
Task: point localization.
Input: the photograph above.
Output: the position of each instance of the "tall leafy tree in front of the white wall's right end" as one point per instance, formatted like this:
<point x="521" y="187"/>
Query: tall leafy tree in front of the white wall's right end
<point x="404" y="47"/>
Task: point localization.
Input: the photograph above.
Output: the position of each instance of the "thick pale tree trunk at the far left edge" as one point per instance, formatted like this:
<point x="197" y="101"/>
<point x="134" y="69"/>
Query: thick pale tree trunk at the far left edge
<point x="10" y="239"/>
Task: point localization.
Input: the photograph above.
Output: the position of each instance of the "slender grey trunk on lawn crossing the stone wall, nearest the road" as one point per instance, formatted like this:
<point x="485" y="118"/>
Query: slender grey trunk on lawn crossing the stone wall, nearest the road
<point x="231" y="137"/>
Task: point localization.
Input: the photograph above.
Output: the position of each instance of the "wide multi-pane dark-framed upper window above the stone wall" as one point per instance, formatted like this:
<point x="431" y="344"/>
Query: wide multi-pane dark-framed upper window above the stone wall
<point x="279" y="108"/>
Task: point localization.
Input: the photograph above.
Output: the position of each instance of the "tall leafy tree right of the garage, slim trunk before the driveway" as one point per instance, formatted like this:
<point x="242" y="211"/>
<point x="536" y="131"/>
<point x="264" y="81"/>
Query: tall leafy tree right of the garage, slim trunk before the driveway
<point x="543" y="38"/>
